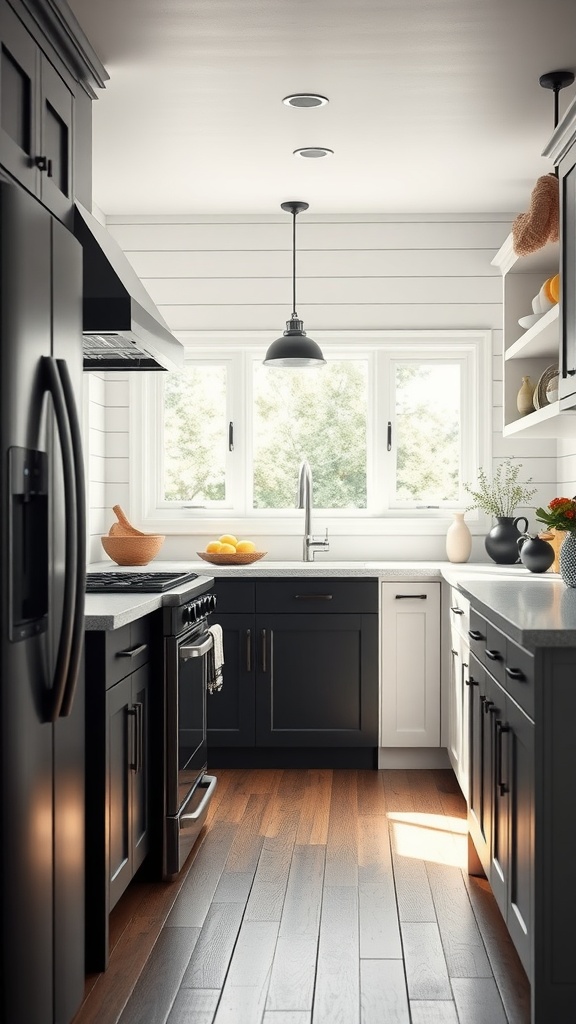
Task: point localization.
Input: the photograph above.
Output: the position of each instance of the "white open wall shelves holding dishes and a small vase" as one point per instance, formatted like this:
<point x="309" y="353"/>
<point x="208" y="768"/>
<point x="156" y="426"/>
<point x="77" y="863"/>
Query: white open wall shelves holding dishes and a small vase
<point x="530" y="353"/>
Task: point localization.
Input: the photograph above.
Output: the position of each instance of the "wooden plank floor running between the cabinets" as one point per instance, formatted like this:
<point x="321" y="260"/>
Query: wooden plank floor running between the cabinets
<point x="317" y="898"/>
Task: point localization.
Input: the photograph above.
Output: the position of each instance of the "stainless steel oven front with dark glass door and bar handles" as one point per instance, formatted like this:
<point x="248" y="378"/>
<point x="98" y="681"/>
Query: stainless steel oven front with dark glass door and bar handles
<point x="188" y="788"/>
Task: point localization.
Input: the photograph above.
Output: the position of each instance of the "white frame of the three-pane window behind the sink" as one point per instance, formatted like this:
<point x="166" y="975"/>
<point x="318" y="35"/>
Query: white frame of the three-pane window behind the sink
<point x="238" y="349"/>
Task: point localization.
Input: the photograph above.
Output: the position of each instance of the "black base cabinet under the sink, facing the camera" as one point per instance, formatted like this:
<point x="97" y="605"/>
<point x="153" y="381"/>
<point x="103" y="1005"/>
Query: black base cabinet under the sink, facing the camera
<point x="300" y="679"/>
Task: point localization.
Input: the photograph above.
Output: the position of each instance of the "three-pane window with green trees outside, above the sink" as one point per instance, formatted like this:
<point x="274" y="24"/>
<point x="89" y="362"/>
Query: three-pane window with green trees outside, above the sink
<point x="393" y="426"/>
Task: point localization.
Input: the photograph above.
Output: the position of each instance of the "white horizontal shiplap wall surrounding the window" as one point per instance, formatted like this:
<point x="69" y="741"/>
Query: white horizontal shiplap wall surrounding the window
<point x="234" y="274"/>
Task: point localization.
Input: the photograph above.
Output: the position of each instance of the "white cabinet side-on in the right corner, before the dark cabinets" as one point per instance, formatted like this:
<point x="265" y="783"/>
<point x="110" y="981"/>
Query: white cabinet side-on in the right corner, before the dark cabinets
<point x="459" y="690"/>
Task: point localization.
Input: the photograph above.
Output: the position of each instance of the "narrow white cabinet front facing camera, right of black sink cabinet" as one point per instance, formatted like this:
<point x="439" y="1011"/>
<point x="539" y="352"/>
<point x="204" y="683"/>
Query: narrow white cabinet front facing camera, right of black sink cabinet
<point x="409" y="664"/>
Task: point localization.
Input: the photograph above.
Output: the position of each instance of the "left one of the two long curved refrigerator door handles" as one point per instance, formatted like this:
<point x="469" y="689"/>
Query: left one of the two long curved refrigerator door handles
<point x="54" y="386"/>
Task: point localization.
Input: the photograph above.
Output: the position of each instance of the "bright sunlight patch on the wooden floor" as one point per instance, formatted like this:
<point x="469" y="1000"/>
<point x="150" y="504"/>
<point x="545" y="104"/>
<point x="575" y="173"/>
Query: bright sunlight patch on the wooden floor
<point x="430" y="837"/>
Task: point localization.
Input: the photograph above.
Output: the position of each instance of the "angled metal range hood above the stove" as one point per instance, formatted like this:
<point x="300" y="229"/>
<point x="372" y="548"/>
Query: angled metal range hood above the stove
<point x="122" y="329"/>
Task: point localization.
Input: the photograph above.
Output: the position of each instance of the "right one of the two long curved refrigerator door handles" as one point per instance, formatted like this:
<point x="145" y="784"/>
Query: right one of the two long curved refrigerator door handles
<point x="79" y="569"/>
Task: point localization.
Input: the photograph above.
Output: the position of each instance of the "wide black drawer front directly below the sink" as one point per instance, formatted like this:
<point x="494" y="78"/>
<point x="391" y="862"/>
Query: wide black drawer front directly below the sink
<point x="312" y="595"/>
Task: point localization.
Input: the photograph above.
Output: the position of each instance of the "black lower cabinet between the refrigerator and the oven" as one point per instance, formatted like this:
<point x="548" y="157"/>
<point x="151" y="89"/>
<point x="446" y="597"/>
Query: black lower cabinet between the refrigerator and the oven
<point x="120" y="772"/>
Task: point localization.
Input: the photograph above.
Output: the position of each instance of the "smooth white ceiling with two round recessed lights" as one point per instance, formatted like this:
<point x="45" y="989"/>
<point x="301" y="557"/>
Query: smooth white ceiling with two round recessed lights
<point x="435" y="105"/>
